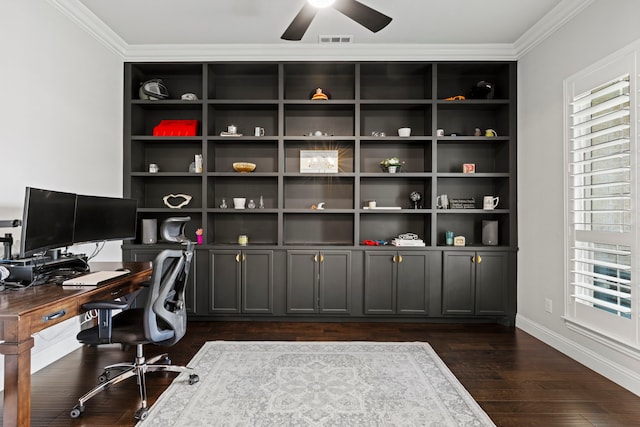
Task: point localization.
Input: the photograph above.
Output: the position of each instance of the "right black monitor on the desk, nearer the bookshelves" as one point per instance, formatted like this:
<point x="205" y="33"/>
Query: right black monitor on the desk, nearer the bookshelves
<point x="104" y="218"/>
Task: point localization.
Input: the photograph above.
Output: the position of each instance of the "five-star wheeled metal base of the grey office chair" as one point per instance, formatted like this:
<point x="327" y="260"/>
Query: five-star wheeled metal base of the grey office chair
<point x="127" y="370"/>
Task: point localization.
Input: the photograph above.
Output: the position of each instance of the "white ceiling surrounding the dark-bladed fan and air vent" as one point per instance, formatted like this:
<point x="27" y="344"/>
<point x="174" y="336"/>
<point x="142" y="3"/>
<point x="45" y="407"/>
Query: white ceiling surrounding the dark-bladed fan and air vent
<point x="140" y="24"/>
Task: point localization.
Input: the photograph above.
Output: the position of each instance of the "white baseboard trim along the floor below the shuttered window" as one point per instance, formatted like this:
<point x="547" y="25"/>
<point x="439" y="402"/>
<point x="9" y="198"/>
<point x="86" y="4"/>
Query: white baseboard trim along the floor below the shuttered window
<point x="621" y="375"/>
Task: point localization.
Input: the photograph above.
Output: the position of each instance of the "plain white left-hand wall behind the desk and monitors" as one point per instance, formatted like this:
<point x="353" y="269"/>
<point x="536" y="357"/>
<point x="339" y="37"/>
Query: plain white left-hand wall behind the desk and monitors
<point x="60" y="124"/>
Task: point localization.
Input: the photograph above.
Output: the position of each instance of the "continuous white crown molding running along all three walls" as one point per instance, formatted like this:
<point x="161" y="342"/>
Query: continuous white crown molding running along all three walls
<point x="551" y="22"/>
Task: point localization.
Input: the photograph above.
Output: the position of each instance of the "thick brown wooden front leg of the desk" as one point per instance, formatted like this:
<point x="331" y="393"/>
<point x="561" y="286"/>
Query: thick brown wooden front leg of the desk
<point x="17" y="383"/>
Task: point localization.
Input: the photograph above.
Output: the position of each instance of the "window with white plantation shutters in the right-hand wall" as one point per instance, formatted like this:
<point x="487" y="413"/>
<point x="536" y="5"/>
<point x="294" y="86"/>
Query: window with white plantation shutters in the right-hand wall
<point x="601" y="202"/>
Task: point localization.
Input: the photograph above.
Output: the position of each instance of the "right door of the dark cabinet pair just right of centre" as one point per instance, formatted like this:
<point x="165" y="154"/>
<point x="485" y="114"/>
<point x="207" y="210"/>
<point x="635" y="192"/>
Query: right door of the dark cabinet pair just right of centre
<point x="413" y="296"/>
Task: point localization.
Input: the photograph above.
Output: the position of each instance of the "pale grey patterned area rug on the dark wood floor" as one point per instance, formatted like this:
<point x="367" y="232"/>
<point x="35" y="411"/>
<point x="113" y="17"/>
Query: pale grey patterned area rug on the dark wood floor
<point x="317" y="384"/>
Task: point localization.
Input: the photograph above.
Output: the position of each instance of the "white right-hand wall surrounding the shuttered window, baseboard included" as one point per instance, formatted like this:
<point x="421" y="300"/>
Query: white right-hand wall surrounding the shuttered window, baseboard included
<point x="594" y="34"/>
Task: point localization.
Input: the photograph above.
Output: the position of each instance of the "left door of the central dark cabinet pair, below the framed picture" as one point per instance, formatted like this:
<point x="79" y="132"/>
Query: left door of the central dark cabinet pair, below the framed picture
<point x="302" y="279"/>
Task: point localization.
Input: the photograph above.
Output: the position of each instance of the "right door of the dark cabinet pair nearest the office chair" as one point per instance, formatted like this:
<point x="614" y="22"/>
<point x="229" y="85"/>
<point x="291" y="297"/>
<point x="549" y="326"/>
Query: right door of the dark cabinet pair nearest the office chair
<point x="257" y="281"/>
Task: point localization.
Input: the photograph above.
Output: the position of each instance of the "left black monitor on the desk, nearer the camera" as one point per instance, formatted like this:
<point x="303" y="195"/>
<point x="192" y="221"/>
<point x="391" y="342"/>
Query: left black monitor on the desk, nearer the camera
<point x="47" y="221"/>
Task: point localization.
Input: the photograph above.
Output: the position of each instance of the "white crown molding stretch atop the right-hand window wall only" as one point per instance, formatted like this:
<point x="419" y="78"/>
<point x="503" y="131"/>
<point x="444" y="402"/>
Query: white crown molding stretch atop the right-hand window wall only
<point x="557" y="17"/>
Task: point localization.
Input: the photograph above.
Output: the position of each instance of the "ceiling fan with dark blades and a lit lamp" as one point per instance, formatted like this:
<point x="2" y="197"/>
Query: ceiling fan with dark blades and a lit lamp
<point x="362" y="14"/>
